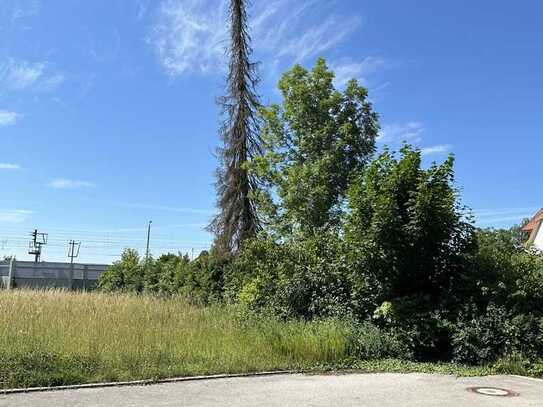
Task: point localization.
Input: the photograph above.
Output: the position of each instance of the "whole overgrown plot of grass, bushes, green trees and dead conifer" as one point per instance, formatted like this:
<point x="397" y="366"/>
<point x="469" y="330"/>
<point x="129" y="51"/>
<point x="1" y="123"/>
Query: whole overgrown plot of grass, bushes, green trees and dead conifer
<point x="326" y="255"/>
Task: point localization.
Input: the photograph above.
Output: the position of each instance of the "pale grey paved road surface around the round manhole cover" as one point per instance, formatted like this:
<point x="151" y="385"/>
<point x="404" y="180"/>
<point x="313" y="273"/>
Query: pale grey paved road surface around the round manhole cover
<point x="367" y="390"/>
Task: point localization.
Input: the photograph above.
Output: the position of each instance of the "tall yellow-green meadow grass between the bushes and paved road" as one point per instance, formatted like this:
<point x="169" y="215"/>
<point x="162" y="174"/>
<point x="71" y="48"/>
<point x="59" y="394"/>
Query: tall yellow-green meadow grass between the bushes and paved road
<point x="53" y="338"/>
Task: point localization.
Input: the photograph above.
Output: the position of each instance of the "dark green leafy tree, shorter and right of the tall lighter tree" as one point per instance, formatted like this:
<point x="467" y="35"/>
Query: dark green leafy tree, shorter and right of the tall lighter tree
<point x="407" y="229"/>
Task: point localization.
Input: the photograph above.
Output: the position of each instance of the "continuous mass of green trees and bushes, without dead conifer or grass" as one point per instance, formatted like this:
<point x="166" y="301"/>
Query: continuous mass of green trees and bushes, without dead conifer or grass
<point x="381" y="240"/>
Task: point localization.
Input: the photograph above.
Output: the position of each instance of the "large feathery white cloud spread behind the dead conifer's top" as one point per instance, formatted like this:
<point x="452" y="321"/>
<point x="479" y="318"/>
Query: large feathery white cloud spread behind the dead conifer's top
<point x="191" y="35"/>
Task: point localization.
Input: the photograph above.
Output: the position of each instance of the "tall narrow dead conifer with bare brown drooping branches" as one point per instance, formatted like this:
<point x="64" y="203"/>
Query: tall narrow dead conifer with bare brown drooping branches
<point x="237" y="219"/>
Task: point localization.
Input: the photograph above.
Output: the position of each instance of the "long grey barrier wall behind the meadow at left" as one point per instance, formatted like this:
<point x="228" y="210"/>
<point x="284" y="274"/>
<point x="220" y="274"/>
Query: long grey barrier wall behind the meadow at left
<point x="28" y="274"/>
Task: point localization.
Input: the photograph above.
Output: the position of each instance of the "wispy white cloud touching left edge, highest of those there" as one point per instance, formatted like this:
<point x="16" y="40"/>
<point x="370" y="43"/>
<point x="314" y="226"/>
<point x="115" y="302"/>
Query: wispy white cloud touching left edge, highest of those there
<point x="19" y="75"/>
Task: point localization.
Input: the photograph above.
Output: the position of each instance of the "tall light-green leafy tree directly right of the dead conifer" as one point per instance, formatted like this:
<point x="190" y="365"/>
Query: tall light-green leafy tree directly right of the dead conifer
<point x="314" y="143"/>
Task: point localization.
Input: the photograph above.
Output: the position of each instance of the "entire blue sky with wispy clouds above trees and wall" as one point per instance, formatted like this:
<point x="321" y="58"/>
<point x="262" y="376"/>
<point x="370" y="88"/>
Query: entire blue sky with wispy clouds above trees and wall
<point x="108" y="115"/>
